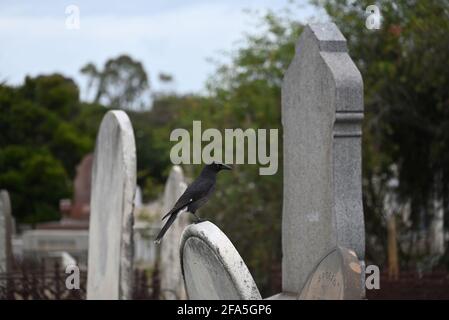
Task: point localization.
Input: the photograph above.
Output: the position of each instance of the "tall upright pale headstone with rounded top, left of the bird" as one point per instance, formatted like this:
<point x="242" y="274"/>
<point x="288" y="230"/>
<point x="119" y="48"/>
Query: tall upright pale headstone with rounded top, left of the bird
<point x="110" y="254"/>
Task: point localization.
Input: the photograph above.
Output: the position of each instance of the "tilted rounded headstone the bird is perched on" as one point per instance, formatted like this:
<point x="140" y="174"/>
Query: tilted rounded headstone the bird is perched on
<point x="212" y="267"/>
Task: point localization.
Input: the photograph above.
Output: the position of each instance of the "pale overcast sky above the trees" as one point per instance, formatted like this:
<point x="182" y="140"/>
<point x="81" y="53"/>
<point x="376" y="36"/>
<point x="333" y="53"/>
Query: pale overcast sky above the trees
<point x="171" y="36"/>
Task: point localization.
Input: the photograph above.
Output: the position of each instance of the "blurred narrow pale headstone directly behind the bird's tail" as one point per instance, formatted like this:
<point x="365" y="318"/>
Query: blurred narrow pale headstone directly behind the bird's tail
<point x="170" y="266"/>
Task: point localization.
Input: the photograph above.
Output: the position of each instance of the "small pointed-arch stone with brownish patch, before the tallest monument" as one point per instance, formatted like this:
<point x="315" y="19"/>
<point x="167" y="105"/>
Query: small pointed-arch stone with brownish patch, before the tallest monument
<point x="335" y="277"/>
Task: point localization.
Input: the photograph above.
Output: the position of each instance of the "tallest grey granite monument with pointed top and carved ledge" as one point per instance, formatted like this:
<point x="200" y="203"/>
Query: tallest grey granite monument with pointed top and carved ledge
<point x="322" y="110"/>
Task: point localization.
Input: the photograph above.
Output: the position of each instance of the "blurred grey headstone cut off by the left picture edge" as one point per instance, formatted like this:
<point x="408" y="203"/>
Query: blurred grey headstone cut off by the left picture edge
<point x="6" y="230"/>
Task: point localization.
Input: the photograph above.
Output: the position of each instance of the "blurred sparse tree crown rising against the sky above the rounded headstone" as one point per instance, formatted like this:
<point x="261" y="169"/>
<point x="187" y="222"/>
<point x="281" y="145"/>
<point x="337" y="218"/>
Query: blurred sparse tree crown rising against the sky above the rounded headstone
<point x="122" y="83"/>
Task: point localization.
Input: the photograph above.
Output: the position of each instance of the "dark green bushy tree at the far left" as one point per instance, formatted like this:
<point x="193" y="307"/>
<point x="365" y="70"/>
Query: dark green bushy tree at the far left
<point x="39" y="146"/>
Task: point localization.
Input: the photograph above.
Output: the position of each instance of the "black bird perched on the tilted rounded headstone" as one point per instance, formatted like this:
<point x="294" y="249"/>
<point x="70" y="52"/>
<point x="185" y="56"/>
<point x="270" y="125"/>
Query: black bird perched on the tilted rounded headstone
<point x="195" y="195"/>
